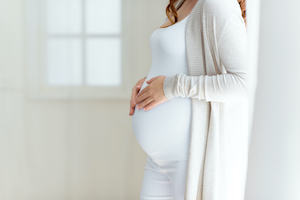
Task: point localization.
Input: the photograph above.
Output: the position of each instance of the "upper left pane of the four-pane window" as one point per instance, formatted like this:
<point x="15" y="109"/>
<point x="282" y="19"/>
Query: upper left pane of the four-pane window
<point x="64" y="16"/>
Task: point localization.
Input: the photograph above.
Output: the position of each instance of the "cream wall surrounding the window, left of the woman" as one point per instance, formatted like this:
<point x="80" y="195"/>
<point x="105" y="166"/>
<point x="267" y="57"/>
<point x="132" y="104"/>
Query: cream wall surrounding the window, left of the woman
<point x="68" y="149"/>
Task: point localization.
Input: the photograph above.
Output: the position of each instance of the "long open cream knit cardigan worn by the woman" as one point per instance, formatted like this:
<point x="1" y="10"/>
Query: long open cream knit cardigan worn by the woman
<point x="216" y="45"/>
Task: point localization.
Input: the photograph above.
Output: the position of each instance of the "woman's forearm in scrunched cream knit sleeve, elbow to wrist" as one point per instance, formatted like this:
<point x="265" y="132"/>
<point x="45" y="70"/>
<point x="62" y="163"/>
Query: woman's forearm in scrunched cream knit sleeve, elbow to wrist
<point x="220" y="87"/>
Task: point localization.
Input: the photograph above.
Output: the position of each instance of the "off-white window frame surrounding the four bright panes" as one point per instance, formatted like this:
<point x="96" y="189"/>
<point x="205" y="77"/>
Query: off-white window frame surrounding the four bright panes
<point x="36" y="60"/>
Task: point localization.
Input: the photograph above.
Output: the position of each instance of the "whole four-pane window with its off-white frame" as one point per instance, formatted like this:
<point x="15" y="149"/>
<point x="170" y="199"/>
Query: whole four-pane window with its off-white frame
<point x="76" y="48"/>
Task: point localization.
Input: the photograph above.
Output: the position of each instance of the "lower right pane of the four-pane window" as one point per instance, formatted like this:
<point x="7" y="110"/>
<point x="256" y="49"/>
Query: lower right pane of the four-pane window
<point x="103" y="62"/>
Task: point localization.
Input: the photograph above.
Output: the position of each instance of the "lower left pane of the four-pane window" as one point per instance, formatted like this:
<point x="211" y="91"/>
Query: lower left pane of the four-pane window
<point x="64" y="61"/>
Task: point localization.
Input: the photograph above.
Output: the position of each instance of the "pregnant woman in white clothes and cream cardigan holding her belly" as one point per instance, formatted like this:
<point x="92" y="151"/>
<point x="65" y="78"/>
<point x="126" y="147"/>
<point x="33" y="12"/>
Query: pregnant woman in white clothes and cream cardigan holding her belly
<point x="190" y="116"/>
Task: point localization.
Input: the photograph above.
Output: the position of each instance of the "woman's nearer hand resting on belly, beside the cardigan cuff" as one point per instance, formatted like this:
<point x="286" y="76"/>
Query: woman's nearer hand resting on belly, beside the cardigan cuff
<point x="152" y="95"/>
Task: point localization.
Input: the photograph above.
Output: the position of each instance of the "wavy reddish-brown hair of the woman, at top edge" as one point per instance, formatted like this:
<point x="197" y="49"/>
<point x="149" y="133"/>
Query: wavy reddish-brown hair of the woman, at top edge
<point x="171" y="10"/>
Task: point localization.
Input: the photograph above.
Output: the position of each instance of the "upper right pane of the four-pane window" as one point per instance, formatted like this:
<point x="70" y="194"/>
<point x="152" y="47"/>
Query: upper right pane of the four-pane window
<point x="103" y="16"/>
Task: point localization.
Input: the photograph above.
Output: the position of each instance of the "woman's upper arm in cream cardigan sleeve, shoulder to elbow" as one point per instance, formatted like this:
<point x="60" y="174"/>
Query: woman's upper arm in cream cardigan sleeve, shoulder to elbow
<point x="226" y="28"/>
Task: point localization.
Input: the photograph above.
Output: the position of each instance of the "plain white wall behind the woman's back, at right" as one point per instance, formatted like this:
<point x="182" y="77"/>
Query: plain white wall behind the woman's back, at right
<point x="274" y="164"/>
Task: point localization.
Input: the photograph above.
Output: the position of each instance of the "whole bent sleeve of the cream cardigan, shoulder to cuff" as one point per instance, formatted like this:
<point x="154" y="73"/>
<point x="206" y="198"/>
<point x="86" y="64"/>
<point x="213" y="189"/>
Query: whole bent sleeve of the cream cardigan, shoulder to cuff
<point x="229" y="86"/>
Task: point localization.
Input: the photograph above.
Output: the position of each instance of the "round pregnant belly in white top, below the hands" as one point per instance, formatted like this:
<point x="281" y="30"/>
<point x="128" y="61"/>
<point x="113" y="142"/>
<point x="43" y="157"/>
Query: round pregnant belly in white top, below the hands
<point x="163" y="131"/>
